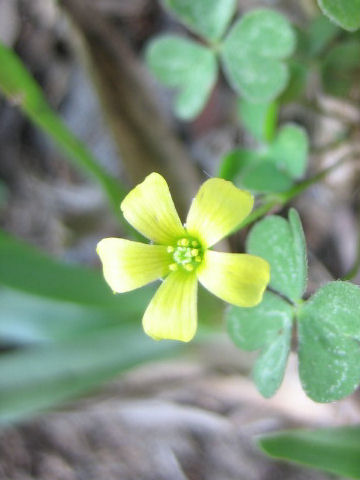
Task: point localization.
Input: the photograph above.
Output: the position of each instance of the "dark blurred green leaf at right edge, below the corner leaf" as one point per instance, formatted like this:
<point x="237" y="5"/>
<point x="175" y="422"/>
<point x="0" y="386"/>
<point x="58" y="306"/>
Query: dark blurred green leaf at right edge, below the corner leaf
<point x="340" y="68"/>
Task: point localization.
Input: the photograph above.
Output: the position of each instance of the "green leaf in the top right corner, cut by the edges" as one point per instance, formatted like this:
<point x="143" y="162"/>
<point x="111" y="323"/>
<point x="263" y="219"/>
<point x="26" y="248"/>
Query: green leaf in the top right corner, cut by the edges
<point x="345" y="13"/>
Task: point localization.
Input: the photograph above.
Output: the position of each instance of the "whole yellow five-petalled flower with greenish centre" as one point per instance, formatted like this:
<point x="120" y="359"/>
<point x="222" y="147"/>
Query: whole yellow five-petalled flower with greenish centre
<point x="182" y="254"/>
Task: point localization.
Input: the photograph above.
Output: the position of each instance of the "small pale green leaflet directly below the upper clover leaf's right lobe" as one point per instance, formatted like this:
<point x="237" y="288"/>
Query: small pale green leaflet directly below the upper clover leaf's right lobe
<point x="259" y="118"/>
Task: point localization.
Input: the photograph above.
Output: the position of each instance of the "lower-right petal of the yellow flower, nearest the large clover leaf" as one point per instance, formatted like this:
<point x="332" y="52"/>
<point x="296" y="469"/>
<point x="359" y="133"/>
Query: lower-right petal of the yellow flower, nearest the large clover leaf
<point x="239" y="279"/>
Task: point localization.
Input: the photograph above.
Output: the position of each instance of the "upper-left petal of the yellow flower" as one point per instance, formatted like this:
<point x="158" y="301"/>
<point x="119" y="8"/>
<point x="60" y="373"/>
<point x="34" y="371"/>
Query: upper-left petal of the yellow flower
<point x="149" y="208"/>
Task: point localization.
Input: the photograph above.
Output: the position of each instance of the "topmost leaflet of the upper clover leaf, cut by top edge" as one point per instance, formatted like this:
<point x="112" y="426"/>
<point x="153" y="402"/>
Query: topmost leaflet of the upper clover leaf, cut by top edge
<point x="208" y="18"/>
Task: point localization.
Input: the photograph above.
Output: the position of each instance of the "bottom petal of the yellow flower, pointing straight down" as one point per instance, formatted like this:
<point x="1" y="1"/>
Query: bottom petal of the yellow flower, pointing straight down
<point x="172" y="313"/>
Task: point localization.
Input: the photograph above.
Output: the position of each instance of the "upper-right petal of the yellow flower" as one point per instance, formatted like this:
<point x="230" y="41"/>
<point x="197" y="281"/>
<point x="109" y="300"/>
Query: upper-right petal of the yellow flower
<point x="218" y="208"/>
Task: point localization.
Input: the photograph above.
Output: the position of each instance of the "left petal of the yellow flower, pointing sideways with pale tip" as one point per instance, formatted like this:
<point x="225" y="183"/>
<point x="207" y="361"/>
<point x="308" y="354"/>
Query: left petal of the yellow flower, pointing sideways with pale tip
<point x="129" y="265"/>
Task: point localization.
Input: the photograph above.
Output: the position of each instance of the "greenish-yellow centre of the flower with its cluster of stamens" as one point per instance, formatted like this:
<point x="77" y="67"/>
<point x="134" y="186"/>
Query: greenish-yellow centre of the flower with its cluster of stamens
<point x="186" y="254"/>
